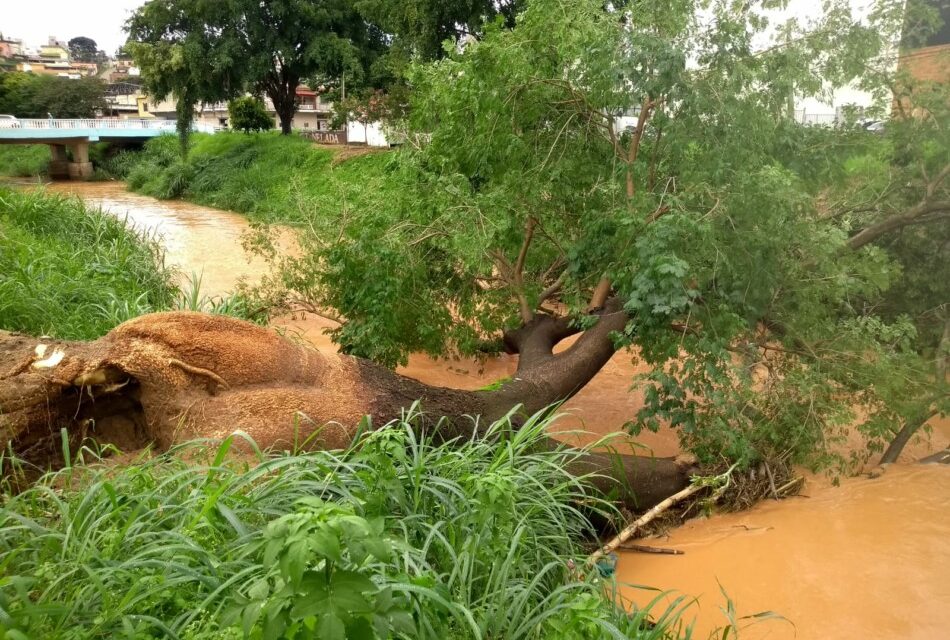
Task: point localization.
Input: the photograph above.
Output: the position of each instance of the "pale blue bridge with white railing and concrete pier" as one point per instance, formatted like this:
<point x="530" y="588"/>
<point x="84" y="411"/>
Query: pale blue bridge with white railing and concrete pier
<point x="77" y="134"/>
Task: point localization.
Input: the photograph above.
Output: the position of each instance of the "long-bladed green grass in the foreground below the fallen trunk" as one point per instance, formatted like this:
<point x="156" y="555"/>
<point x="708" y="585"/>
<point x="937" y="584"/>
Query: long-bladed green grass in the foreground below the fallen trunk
<point x="395" y="537"/>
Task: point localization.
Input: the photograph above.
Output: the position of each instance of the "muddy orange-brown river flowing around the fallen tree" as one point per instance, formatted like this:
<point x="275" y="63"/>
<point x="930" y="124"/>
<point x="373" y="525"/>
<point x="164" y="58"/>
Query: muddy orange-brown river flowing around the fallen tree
<point x="869" y="559"/>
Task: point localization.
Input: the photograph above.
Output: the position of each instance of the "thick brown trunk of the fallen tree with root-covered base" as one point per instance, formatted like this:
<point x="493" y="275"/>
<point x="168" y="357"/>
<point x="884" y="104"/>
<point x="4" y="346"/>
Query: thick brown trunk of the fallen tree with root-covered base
<point x="168" y="377"/>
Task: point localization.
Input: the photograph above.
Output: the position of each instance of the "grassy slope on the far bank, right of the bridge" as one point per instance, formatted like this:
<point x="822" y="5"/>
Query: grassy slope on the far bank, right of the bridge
<point x="270" y="177"/>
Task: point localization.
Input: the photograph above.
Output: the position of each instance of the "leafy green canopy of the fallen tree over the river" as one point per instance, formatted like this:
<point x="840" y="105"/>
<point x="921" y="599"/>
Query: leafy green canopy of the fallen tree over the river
<point x="749" y="259"/>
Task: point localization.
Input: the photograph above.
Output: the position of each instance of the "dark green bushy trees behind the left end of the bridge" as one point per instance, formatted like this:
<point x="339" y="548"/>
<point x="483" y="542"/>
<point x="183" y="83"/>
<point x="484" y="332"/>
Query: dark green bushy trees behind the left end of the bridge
<point x="28" y="95"/>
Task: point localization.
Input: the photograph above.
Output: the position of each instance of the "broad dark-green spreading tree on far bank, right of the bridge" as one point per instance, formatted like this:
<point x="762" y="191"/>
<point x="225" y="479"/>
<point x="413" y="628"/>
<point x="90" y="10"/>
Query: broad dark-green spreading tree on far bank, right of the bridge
<point x="205" y="51"/>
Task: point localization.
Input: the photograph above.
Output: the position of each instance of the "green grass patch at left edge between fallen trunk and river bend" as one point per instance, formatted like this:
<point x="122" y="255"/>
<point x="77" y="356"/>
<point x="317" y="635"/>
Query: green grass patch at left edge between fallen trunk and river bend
<point x="73" y="272"/>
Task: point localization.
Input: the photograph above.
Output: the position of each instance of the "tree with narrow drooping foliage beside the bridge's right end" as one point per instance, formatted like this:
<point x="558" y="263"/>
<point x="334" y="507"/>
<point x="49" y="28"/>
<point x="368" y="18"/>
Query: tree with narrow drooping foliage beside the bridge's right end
<point x="182" y="51"/>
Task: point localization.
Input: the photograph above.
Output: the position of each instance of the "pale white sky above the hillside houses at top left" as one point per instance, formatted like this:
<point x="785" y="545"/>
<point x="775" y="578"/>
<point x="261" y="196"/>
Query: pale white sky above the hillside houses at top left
<point x="34" y="22"/>
